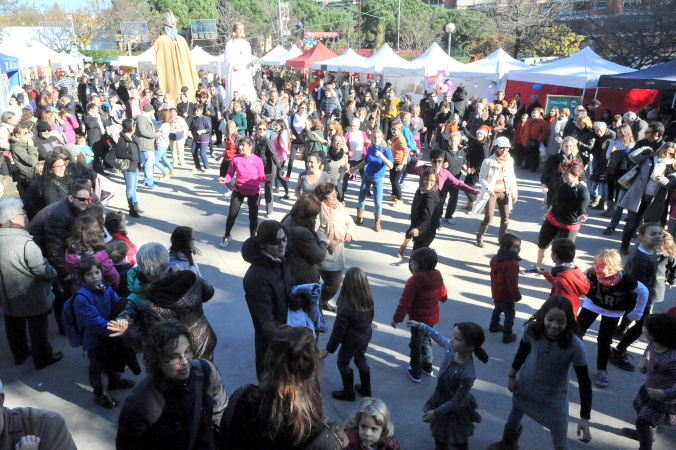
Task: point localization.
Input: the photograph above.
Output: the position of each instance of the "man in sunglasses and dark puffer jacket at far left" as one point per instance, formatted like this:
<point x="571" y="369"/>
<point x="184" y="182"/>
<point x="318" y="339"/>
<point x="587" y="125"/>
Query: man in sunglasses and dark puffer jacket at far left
<point x="50" y="228"/>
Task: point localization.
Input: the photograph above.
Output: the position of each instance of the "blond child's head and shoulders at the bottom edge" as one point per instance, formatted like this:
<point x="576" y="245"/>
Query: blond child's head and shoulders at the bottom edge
<point x="371" y="427"/>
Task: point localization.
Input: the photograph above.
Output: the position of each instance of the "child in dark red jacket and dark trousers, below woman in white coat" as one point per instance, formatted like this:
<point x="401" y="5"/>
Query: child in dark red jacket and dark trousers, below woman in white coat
<point x="505" y="285"/>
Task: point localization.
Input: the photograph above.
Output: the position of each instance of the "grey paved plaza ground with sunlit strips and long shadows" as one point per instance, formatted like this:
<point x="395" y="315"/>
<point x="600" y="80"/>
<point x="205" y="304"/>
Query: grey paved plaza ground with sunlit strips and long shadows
<point x="197" y="201"/>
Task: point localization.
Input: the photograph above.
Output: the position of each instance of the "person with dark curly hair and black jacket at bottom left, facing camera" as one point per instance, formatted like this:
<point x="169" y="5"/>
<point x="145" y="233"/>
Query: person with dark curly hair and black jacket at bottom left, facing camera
<point x="161" y="407"/>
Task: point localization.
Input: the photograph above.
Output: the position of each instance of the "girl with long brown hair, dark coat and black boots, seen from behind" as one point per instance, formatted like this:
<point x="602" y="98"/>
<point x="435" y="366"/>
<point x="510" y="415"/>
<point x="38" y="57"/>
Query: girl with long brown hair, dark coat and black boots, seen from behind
<point x="352" y="331"/>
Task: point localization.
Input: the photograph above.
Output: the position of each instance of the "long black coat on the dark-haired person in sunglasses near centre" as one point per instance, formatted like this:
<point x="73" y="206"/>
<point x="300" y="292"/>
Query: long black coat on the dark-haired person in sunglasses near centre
<point x="267" y="284"/>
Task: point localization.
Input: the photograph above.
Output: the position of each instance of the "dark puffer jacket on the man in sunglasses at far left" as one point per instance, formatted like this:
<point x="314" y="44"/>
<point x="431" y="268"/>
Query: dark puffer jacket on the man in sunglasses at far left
<point x="50" y="228"/>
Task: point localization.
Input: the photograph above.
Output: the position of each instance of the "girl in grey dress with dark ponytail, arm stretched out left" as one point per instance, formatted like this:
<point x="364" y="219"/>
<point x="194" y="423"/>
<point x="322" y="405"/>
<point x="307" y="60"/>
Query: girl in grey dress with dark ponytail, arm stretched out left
<point x="451" y="410"/>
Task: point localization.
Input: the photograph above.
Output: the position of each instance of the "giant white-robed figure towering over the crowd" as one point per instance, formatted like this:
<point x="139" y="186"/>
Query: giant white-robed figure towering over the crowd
<point x="237" y="66"/>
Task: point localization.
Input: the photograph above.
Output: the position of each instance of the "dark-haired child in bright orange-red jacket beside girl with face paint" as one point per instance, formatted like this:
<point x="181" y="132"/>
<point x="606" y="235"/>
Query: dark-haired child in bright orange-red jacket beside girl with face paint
<point x="567" y="279"/>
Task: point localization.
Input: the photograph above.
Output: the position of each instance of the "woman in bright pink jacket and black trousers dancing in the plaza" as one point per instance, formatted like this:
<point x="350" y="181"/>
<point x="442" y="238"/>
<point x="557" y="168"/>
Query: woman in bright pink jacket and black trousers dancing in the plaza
<point x="250" y="173"/>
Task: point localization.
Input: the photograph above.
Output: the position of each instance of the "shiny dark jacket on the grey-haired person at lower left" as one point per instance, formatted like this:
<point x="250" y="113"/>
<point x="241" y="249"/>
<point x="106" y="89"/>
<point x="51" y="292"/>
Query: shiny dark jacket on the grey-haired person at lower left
<point x="180" y="296"/>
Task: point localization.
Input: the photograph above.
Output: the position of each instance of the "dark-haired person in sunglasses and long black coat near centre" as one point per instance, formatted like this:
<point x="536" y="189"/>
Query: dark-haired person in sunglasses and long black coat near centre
<point x="267" y="284"/>
